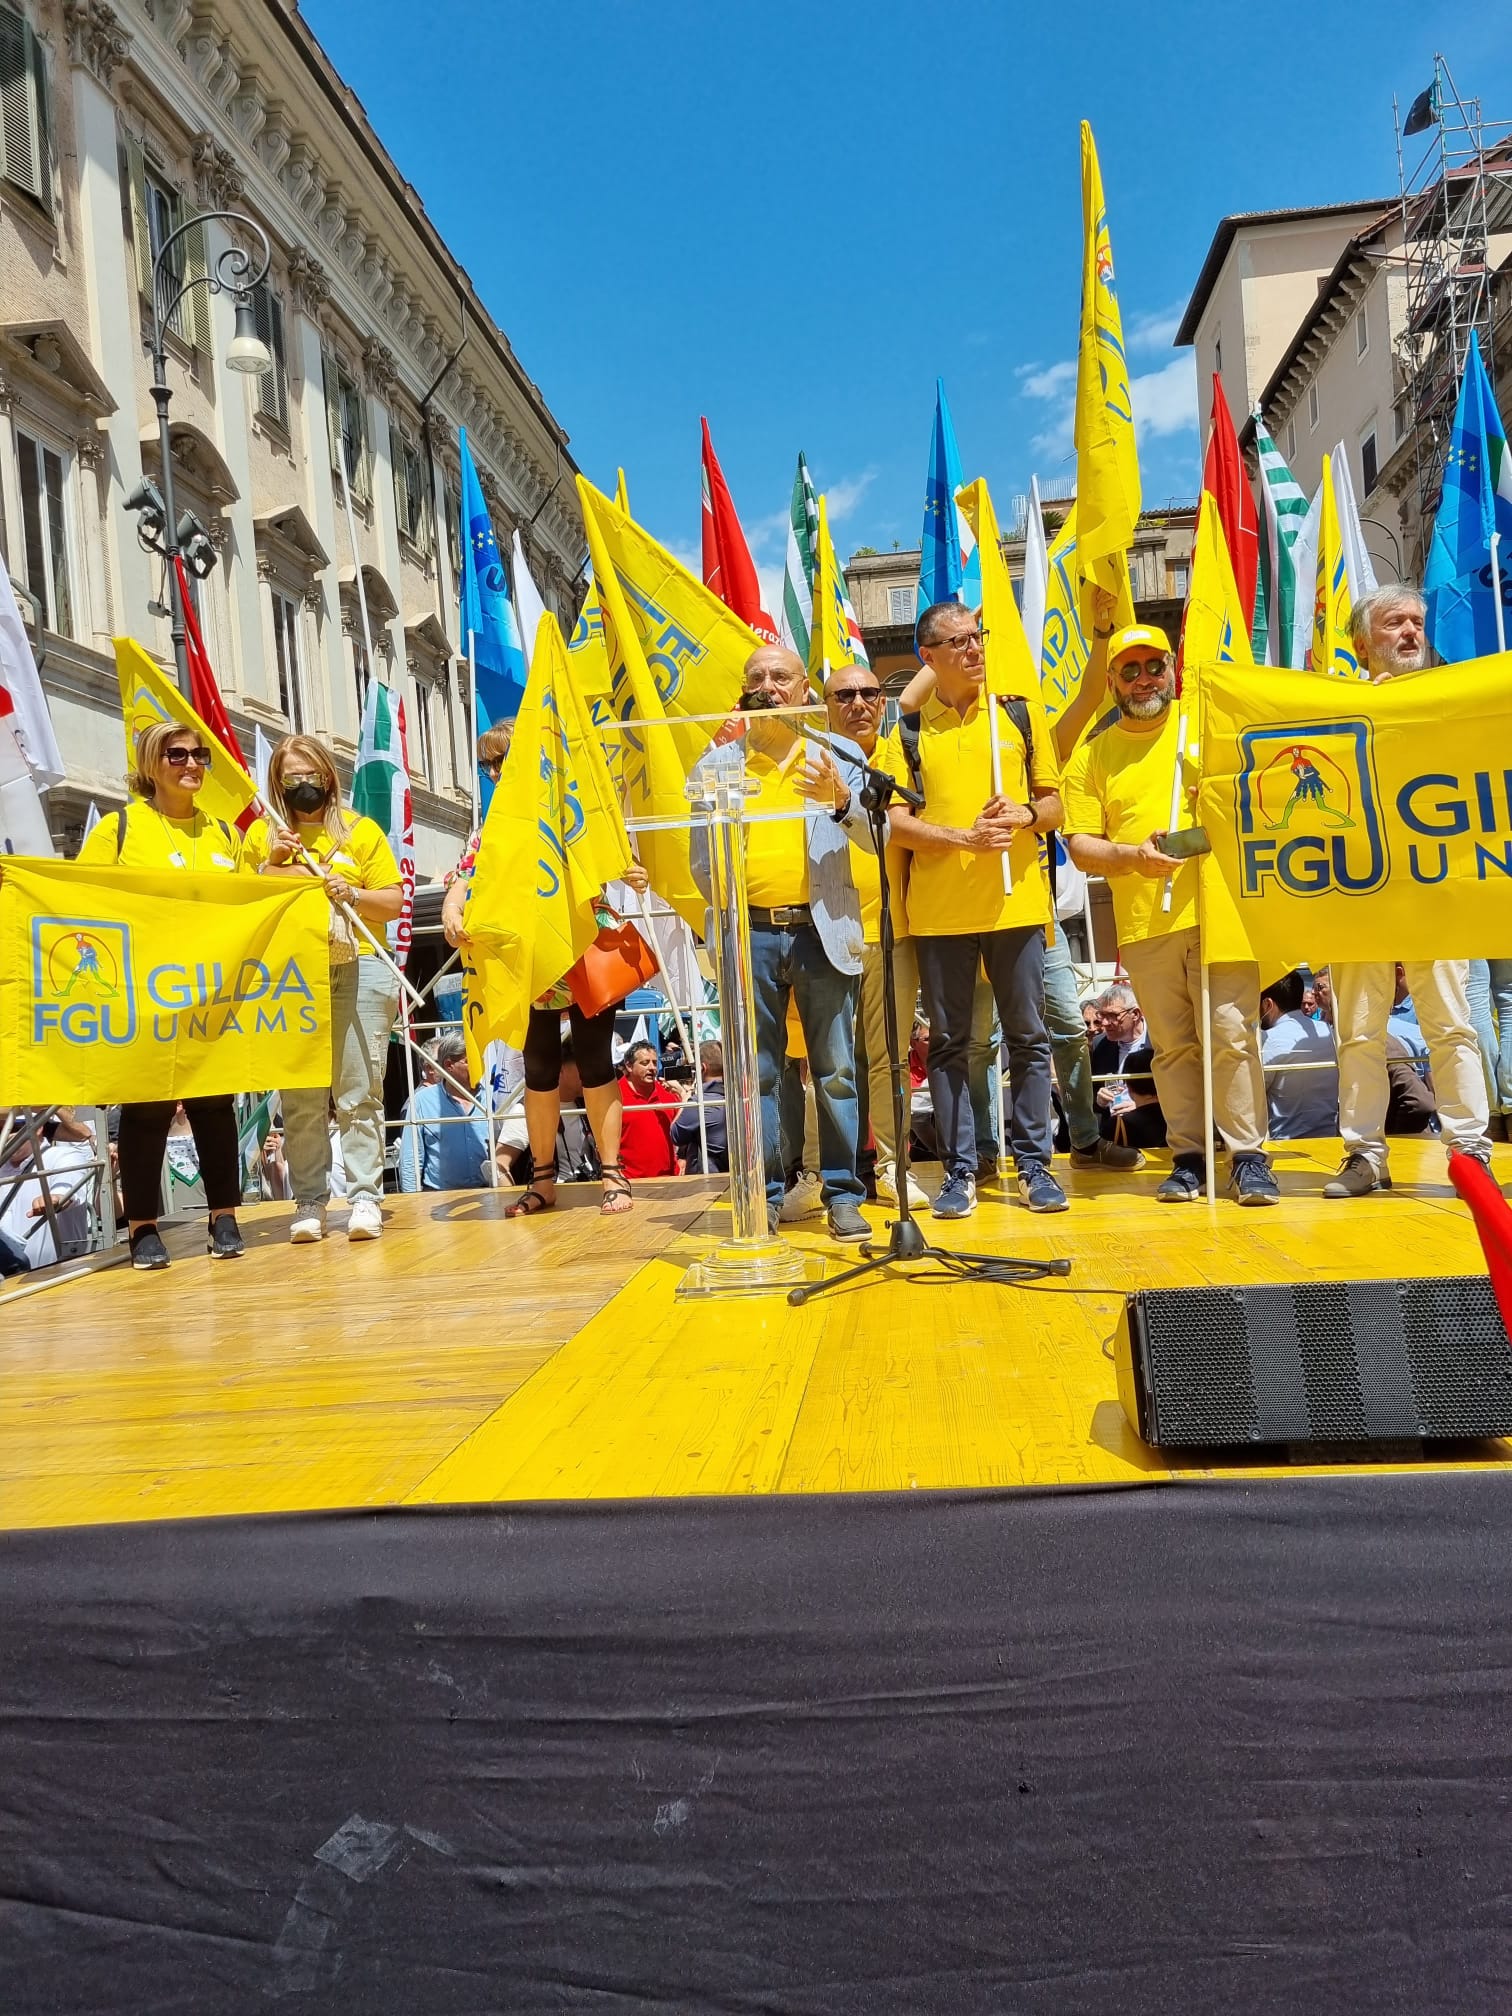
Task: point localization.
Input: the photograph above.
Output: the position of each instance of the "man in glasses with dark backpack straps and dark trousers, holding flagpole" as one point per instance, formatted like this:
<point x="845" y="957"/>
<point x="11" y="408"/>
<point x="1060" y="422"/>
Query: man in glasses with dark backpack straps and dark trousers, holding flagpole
<point x="965" y="914"/>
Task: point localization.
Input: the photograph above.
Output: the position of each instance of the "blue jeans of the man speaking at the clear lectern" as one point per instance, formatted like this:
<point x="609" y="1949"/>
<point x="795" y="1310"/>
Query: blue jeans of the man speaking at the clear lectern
<point x="793" y="963"/>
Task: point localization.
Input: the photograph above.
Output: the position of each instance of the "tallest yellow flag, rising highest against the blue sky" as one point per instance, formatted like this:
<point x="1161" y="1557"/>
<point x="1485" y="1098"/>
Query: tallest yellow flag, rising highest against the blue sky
<point x="1108" y="463"/>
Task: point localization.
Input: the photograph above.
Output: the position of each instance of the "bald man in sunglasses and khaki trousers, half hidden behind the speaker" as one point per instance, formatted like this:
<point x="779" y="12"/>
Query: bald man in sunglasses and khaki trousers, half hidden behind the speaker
<point x="856" y="709"/>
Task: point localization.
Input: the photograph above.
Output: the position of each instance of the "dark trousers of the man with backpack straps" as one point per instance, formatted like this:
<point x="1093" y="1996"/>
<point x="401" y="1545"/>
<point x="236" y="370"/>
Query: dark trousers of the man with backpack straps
<point x="1015" y="969"/>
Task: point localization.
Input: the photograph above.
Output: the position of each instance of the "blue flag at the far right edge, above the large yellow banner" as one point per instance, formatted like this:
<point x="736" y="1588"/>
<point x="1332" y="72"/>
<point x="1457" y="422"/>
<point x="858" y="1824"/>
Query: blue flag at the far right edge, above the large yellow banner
<point x="1477" y="501"/>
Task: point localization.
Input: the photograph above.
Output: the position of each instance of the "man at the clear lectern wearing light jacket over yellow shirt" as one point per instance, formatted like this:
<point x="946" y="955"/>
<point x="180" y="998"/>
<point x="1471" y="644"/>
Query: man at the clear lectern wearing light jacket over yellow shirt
<point x="805" y="920"/>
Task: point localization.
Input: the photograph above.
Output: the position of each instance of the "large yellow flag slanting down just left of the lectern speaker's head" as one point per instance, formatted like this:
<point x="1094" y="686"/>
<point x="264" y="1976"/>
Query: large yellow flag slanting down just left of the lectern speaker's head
<point x="674" y="650"/>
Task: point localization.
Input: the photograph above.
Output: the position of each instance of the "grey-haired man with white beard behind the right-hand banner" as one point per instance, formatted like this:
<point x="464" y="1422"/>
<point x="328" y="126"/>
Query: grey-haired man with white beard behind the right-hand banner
<point x="1390" y="642"/>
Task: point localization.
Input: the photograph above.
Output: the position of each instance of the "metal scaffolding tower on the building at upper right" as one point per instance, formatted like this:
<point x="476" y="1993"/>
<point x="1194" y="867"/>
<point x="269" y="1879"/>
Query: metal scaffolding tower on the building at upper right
<point x="1455" y="201"/>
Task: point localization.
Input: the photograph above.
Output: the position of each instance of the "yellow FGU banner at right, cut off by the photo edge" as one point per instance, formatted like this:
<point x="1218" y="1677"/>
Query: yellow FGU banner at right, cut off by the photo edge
<point x="1356" y="822"/>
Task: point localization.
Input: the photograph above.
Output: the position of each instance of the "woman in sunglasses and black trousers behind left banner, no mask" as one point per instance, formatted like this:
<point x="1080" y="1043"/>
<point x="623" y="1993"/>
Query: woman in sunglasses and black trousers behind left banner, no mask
<point x="166" y="832"/>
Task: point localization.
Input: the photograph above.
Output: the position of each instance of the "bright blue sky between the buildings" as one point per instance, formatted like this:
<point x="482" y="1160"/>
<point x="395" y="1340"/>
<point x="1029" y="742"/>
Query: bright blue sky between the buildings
<point x="793" y="217"/>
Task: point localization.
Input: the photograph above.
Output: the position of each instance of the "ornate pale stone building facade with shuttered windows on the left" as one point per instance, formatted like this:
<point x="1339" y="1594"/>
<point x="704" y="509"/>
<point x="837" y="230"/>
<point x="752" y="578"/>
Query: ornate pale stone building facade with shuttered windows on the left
<point x="122" y="124"/>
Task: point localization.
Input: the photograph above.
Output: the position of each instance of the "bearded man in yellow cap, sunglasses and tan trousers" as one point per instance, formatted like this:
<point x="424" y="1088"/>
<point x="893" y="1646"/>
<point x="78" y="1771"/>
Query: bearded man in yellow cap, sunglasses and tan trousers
<point x="1120" y="791"/>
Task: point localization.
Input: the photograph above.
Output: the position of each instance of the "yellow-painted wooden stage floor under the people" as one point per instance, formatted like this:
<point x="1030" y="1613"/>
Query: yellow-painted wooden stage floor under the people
<point x="465" y="1358"/>
